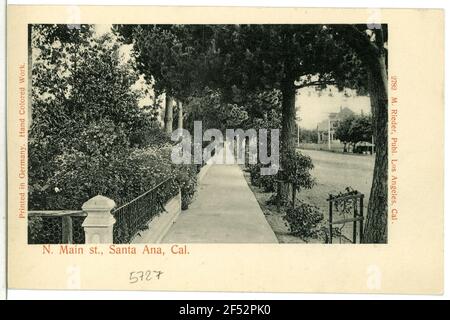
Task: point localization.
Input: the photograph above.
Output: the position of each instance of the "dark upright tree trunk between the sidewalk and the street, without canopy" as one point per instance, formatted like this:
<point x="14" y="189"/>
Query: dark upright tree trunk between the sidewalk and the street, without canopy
<point x="288" y="132"/>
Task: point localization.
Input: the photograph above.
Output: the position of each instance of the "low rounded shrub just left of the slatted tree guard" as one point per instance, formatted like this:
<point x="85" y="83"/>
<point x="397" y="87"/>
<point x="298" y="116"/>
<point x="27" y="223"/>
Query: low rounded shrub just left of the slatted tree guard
<point x="304" y="221"/>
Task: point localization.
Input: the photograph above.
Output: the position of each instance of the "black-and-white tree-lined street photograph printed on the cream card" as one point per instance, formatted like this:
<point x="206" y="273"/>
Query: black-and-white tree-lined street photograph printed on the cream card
<point x="248" y="133"/>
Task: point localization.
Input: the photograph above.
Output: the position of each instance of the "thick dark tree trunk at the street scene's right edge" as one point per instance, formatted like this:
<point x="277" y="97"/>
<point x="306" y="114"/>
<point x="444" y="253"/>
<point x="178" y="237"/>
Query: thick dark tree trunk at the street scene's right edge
<point x="376" y="220"/>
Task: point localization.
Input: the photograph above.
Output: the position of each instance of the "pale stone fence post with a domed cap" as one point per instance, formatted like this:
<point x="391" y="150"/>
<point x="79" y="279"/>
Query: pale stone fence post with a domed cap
<point x="98" y="225"/>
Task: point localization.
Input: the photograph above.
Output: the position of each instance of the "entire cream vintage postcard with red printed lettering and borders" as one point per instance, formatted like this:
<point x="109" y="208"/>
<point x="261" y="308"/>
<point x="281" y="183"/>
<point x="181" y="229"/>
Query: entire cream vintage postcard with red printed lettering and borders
<point x="225" y="149"/>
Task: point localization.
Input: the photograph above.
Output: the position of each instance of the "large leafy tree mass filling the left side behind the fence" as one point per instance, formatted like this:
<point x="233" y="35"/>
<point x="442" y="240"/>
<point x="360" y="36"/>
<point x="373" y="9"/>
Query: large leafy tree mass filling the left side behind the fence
<point x="82" y="135"/>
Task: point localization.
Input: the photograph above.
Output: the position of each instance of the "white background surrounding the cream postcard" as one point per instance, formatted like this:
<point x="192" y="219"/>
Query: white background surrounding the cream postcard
<point x="41" y="294"/>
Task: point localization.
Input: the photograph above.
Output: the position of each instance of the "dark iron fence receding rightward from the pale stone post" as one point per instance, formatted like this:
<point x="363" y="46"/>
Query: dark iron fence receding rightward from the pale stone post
<point x="133" y="216"/>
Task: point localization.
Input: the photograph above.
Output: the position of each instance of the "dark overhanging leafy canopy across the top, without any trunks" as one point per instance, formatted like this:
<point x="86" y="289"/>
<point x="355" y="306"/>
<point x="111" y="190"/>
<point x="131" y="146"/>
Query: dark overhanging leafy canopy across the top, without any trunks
<point x="183" y="58"/>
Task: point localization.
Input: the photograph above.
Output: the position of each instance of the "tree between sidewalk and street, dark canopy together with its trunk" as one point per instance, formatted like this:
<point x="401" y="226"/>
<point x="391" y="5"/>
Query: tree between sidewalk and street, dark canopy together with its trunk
<point x="286" y="58"/>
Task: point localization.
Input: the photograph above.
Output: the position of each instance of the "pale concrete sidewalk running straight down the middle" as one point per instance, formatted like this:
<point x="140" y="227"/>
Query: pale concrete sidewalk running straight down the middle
<point x="225" y="211"/>
